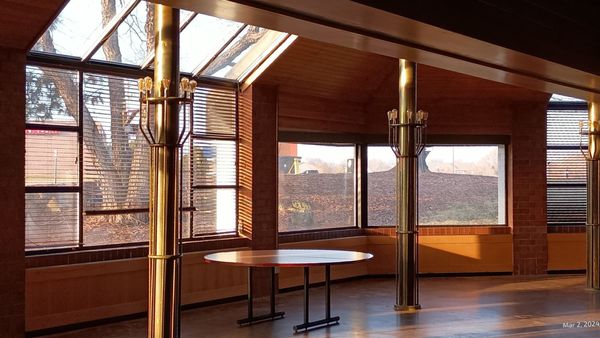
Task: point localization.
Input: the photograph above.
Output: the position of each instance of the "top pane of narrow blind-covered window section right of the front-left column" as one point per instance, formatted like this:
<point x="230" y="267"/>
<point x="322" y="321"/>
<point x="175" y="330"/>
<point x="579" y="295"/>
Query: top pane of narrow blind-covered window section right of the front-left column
<point x="215" y="112"/>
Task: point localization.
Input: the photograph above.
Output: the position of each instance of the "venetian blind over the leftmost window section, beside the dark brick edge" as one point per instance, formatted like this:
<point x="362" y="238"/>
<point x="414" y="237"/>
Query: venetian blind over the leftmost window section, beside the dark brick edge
<point x="51" y="158"/>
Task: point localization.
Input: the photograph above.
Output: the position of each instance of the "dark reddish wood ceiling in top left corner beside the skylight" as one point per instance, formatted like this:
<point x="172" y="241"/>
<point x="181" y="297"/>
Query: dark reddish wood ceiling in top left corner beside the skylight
<point x="23" y="21"/>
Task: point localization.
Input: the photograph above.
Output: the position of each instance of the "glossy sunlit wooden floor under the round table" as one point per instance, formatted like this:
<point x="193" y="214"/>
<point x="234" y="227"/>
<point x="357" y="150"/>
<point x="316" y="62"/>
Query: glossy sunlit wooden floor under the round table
<point x="499" y="306"/>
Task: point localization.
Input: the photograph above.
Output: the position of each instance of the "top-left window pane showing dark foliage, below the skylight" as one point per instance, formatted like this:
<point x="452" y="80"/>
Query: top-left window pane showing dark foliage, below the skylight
<point x="52" y="96"/>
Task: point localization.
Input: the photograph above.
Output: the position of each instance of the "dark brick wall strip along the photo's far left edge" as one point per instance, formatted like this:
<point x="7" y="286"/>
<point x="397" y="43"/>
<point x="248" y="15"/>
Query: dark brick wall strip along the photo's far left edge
<point x="12" y="200"/>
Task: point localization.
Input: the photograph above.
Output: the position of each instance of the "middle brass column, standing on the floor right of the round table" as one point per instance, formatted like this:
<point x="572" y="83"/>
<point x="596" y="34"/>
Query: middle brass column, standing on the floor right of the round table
<point x="407" y="288"/>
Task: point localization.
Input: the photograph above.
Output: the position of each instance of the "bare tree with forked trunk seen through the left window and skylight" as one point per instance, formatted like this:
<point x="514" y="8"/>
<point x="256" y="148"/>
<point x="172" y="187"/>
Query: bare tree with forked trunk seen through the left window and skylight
<point x="120" y="158"/>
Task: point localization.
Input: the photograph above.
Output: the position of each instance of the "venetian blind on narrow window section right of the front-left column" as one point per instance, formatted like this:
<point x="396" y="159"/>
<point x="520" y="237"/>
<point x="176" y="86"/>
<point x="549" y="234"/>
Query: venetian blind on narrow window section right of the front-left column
<point x="213" y="155"/>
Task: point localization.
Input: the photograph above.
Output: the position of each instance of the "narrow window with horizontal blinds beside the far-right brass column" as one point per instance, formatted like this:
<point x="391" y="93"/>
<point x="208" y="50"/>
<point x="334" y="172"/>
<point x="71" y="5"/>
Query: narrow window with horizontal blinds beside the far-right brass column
<point x="566" y="166"/>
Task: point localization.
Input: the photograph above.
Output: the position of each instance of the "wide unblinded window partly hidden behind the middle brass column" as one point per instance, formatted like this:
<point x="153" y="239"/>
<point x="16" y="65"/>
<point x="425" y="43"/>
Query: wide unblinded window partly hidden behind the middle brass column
<point x="458" y="185"/>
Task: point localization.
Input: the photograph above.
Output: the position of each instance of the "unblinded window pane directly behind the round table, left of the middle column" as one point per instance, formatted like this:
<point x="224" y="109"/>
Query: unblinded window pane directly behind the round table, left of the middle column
<point x="316" y="186"/>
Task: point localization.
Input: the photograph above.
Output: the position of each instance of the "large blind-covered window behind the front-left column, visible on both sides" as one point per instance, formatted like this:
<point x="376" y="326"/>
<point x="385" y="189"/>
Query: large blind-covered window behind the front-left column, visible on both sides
<point x="87" y="163"/>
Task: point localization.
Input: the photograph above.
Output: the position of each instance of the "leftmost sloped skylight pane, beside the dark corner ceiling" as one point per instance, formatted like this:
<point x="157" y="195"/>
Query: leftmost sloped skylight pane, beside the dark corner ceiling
<point x="77" y="25"/>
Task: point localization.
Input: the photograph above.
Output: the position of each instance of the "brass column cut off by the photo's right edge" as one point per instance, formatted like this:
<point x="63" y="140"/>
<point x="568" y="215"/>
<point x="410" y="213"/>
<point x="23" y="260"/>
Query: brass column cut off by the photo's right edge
<point x="593" y="198"/>
